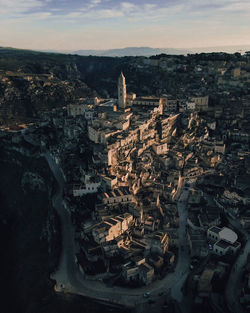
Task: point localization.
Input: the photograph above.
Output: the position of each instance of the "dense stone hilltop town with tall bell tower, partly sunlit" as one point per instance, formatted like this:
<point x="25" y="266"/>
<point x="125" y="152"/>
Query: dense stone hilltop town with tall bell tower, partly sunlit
<point x="153" y="195"/>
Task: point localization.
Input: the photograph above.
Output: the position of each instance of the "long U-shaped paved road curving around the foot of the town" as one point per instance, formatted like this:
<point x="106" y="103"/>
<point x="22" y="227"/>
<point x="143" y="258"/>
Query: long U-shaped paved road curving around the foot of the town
<point x="69" y="278"/>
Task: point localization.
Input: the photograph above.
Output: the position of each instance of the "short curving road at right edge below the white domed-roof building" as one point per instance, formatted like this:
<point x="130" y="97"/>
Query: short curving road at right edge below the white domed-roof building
<point x="234" y="284"/>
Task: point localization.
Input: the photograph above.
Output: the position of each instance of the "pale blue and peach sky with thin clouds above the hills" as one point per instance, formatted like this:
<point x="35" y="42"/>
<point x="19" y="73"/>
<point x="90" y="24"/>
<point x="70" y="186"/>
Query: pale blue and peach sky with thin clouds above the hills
<point x="108" y="24"/>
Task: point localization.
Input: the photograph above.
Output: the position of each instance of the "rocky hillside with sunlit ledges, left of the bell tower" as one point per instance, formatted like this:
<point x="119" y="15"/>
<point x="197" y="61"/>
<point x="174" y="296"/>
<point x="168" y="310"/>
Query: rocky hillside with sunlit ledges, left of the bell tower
<point x="25" y="95"/>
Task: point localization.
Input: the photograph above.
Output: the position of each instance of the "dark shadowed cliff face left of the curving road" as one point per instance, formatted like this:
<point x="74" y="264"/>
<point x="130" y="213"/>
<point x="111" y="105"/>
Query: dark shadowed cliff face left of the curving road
<point x="30" y="232"/>
